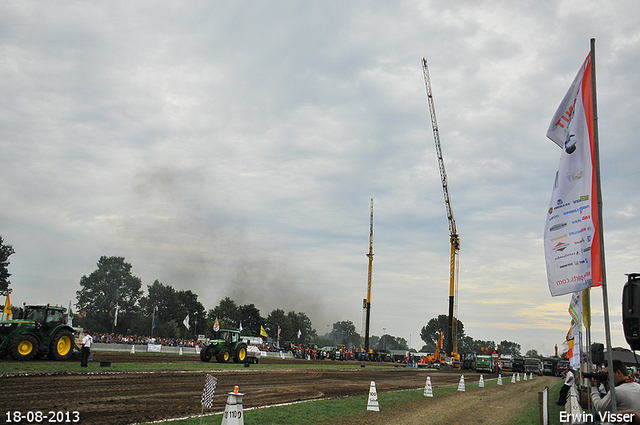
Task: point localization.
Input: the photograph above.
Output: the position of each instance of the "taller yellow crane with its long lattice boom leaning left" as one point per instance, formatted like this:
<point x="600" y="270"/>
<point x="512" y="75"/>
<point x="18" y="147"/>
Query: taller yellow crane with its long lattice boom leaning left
<point x="452" y="340"/>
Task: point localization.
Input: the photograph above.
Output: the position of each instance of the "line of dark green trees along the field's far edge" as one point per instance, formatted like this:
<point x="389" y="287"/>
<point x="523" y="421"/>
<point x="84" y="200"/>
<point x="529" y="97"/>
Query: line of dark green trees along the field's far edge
<point x="111" y="300"/>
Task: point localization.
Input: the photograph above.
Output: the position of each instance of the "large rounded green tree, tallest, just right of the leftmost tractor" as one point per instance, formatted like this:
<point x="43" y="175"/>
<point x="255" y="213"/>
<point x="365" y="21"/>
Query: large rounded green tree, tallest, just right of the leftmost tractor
<point x="111" y="284"/>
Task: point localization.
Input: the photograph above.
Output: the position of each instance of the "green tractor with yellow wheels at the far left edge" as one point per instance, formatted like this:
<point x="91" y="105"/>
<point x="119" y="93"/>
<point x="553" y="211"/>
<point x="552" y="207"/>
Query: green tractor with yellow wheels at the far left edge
<point x="37" y="330"/>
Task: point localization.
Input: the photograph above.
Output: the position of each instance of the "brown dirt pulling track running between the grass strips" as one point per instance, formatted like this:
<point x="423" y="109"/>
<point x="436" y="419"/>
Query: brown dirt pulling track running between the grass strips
<point x="104" y="396"/>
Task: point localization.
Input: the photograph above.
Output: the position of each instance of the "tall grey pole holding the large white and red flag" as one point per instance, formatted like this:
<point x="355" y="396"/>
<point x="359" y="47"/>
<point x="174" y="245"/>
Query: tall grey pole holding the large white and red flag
<point x="605" y="297"/>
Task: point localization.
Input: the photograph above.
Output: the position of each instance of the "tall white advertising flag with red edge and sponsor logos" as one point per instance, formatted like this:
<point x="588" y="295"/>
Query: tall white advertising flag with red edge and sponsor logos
<point x="571" y="242"/>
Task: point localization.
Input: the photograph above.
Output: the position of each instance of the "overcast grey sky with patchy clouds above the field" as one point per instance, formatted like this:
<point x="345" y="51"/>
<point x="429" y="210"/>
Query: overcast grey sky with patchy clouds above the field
<point x="232" y="148"/>
